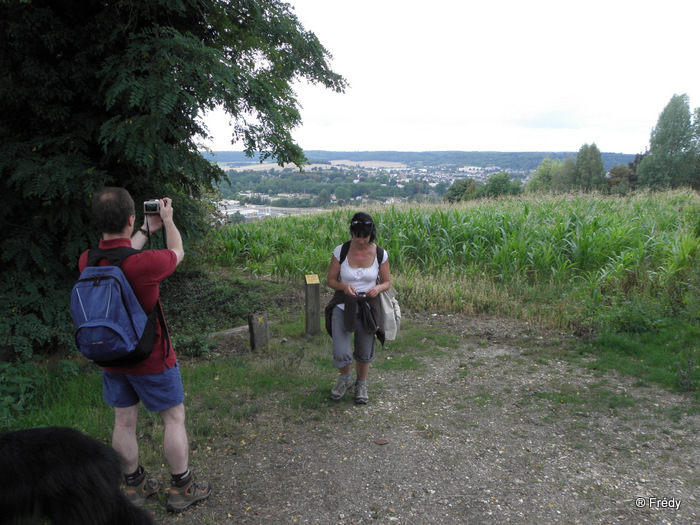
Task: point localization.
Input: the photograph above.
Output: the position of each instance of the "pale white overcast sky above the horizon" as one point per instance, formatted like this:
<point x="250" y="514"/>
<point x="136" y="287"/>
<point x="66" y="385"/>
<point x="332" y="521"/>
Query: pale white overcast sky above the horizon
<point x="498" y="75"/>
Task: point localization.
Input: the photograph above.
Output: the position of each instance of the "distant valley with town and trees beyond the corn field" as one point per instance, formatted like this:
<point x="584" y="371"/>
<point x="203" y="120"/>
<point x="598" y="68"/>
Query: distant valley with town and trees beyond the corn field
<point x="257" y="190"/>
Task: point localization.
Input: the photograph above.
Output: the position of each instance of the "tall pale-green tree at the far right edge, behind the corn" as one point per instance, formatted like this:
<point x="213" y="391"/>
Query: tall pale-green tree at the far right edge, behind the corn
<point x="672" y="158"/>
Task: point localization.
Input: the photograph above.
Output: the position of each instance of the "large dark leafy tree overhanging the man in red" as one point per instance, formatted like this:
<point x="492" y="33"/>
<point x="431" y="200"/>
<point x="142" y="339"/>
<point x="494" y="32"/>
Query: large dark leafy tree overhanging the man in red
<point x="112" y="93"/>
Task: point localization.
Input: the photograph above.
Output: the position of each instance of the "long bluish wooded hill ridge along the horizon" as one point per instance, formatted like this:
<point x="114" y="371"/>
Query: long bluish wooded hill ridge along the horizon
<point x="520" y="161"/>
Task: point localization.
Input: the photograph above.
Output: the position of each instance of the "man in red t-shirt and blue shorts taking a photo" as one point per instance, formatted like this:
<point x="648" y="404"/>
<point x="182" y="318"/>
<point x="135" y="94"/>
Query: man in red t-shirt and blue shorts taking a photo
<point x="155" y="381"/>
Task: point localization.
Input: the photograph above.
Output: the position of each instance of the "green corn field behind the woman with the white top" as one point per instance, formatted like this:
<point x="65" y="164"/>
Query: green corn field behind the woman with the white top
<point x="553" y="259"/>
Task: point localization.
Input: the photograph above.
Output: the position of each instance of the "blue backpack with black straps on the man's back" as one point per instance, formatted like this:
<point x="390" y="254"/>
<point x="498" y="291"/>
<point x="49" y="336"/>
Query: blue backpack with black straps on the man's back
<point x="111" y="327"/>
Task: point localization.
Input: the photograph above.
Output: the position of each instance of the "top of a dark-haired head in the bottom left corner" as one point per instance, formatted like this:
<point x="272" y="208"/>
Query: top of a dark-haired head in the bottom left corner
<point x="62" y="475"/>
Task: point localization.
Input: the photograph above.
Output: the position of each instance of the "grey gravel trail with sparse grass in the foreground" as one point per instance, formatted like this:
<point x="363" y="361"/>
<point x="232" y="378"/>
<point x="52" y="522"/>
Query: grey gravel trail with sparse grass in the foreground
<point x="498" y="431"/>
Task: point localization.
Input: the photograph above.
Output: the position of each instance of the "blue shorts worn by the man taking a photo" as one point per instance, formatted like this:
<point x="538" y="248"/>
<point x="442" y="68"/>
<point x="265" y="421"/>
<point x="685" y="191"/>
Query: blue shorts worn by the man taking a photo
<point x="156" y="391"/>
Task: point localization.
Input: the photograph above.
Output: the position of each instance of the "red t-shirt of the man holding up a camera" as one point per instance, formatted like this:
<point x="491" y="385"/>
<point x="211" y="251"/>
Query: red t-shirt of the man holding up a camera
<point x="144" y="271"/>
